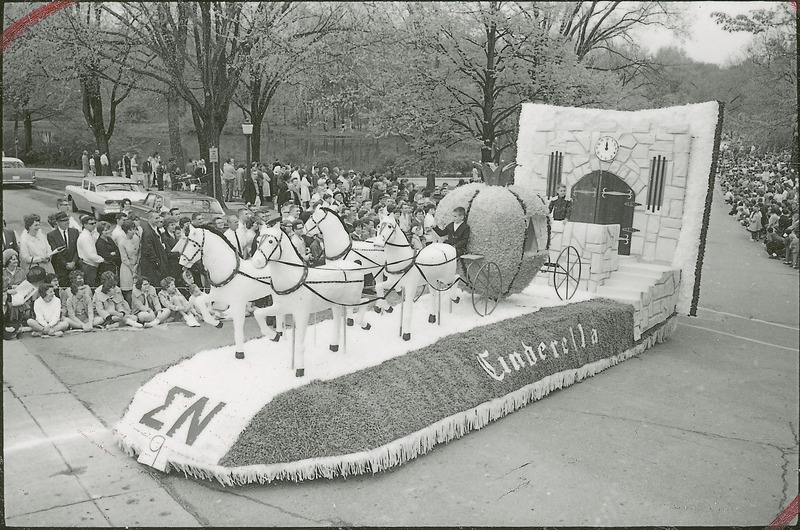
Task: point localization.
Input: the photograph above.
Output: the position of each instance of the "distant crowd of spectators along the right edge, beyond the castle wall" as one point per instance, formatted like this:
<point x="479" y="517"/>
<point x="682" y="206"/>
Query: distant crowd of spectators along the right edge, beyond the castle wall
<point x="762" y="191"/>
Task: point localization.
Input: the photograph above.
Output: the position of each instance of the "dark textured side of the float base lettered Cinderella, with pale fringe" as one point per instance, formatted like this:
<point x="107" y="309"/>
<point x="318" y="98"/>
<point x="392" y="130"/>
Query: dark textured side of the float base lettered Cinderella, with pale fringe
<point x="388" y="414"/>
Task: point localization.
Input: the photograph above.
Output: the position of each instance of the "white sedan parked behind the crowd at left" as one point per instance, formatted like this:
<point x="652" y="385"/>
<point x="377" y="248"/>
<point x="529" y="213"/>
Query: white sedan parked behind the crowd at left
<point x="102" y="196"/>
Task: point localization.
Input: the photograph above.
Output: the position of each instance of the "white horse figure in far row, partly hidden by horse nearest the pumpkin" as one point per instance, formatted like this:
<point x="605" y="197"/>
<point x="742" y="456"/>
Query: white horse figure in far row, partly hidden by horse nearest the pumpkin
<point x="338" y="246"/>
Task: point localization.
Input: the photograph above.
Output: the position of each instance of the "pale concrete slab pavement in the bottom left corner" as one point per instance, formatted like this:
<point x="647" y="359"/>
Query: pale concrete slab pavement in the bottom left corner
<point x="55" y="477"/>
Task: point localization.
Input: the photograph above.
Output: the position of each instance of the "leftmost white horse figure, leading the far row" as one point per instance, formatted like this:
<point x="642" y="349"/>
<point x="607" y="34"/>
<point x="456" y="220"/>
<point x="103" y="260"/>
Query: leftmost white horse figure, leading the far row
<point x="234" y="281"/>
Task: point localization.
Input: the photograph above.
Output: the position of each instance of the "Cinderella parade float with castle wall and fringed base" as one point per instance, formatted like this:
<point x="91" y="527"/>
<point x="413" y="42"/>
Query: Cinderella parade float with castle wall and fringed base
<point x="640" y="183"/>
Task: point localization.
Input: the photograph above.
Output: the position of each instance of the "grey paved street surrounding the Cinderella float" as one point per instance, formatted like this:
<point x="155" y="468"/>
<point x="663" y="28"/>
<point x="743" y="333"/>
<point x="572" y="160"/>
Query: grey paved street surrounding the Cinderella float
<point x="701" y="430"/>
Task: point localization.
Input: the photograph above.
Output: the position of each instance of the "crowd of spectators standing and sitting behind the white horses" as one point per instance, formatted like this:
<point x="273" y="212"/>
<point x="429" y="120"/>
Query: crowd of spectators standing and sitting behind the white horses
<point x="84" y="274"/>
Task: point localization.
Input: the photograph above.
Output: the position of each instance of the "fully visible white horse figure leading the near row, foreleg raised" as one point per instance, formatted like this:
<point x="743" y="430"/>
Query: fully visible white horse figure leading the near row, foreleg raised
<point x="301" y="290"/>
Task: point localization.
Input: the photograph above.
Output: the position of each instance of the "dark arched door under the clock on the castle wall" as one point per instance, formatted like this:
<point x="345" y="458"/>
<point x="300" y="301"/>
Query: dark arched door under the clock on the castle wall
<point x="603" y="198"/>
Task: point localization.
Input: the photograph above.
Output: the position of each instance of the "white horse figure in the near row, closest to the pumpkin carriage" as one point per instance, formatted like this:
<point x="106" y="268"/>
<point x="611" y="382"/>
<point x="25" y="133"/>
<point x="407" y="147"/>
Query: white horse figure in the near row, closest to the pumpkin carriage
<point x="435" y="265"/>
